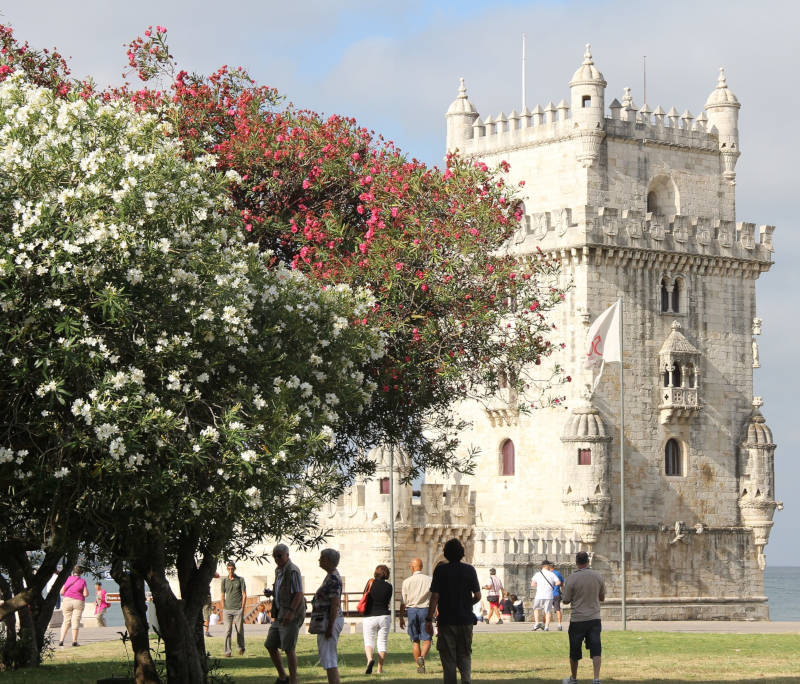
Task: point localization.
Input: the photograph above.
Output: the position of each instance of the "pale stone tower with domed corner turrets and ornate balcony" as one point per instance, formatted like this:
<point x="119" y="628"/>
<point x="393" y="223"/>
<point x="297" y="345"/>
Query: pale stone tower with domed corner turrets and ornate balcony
<point x="637" y="204"/>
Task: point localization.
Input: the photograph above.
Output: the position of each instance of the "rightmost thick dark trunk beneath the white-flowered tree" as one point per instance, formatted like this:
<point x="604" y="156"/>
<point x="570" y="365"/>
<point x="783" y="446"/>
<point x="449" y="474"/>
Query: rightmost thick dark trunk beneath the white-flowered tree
<point x="184" y="661"/>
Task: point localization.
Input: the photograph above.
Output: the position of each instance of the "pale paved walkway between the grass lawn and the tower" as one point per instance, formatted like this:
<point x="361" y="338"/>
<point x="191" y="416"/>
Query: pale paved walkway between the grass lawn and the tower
<point x="89" y="635"/>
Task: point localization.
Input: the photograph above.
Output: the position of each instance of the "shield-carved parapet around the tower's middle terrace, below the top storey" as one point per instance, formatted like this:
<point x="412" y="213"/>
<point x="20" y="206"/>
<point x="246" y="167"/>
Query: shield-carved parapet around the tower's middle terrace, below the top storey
<point x="682" y="235"/>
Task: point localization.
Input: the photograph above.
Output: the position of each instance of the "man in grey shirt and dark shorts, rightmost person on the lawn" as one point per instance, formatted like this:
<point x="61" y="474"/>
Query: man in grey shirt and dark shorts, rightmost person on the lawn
<point x="584" y="590"/>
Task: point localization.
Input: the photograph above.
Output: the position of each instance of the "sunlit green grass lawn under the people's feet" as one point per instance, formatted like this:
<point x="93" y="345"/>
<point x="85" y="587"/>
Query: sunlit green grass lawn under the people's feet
<point x="521" y="657"/>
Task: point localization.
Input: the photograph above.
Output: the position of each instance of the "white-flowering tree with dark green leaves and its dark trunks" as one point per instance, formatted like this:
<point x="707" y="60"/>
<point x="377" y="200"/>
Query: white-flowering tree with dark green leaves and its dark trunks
<point x="168" y="395"/>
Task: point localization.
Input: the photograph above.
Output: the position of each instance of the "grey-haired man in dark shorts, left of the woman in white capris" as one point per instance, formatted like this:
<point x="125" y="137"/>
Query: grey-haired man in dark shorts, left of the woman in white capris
<point x="288" y="613"/>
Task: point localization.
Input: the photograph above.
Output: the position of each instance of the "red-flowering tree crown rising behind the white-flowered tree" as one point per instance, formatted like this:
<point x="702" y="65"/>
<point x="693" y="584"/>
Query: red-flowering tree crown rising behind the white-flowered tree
<point x="461" y="315"/>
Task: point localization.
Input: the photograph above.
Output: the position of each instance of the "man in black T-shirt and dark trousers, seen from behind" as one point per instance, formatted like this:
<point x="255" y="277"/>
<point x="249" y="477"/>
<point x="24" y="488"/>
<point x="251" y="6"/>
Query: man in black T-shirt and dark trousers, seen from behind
<point x="454" y="590"/>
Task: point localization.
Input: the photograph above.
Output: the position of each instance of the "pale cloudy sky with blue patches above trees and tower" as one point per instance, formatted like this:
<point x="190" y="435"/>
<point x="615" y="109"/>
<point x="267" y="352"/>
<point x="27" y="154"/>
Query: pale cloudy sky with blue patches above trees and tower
<point x="395" y="67"/>
